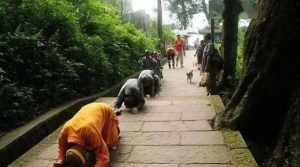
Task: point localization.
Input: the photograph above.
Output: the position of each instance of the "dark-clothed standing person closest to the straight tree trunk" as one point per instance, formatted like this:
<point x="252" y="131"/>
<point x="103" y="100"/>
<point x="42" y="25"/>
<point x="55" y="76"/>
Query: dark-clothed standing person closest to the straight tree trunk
<point x="213" y="67"/>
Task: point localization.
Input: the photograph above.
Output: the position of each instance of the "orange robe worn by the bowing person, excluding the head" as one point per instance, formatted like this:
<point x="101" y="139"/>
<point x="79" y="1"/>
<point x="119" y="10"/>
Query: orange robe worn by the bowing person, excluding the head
<point x="94" y="128"/>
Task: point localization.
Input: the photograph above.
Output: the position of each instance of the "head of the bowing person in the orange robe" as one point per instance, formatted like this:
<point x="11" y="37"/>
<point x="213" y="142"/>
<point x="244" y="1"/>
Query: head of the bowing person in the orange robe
<point x="75" y="157"/>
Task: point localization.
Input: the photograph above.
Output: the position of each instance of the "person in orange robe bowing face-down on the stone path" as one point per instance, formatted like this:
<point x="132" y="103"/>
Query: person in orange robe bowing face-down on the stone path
<point x="88" y="136"/>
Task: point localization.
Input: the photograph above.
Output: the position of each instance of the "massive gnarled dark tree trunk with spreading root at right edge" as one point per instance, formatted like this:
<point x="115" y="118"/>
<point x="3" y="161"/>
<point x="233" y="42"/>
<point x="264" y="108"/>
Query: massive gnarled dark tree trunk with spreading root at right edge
<point x="266" y="104"/>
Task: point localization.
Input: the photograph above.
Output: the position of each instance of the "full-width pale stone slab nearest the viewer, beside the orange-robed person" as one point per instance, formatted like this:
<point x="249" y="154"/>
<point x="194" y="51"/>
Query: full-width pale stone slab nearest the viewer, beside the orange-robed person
<point x="179" y="154"/>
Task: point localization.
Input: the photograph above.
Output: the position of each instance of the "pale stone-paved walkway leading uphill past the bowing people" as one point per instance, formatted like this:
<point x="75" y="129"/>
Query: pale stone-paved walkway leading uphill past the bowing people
<point x="172" y="131"/>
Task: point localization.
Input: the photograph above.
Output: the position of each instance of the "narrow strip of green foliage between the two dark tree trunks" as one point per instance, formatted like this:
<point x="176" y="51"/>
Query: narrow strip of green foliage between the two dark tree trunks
<point x="240" y="66"/>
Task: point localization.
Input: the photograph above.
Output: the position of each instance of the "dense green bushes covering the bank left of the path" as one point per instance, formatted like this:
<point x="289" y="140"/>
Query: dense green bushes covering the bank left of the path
<point x="53" y="51"/>
